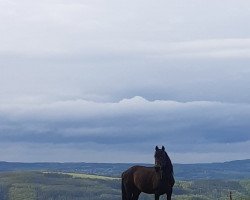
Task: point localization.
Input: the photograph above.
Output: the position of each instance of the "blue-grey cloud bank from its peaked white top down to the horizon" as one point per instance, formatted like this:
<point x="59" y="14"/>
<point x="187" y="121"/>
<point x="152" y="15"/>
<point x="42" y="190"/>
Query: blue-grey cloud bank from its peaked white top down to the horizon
<point x="192" y="132"/>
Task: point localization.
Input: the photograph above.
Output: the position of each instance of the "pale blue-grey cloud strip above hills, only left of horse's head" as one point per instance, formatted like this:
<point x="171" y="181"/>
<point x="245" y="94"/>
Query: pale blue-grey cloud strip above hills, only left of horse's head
<point x="28" y="152"/>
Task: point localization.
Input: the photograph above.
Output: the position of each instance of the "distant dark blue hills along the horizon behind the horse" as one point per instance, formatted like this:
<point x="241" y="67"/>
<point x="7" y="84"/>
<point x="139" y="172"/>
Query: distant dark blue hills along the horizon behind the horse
<point x="239" y="169"/>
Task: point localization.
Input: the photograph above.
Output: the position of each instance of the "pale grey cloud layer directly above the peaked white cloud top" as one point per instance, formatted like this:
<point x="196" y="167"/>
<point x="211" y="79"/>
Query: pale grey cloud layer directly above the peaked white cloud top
<point x="178" y="80"/>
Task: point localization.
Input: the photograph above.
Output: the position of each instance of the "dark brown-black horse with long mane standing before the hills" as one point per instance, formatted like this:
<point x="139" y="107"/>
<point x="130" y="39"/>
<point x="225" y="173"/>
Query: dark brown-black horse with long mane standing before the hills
<point x="157" y="180"/>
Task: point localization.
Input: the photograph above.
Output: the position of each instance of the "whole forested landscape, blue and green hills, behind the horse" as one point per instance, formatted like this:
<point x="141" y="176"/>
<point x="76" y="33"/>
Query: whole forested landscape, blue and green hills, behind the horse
<point x="98" y="181"/>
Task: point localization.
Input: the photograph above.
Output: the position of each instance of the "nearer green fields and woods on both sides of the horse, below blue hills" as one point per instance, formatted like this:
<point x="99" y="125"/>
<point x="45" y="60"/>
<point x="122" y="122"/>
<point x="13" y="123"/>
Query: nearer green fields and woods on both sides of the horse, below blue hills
<point x="36" y="185"/>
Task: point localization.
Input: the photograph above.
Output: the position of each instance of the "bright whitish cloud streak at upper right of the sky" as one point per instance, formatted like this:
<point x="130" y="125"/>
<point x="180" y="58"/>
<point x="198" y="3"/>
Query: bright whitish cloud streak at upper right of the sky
<point x="211" y="48"/>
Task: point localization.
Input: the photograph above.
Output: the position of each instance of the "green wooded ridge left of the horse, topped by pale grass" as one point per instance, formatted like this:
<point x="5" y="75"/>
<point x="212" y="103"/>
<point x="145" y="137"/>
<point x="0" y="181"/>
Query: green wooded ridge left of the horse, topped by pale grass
<point x="56" y="186"/>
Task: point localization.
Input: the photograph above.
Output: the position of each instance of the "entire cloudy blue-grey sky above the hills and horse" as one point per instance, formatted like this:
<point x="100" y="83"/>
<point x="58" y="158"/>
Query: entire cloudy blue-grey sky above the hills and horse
<point x="108" y="80"/>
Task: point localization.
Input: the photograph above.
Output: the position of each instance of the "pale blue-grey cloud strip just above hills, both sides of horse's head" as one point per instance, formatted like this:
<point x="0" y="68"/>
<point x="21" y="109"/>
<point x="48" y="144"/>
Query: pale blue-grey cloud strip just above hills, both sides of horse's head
<point x="30" y="152"/>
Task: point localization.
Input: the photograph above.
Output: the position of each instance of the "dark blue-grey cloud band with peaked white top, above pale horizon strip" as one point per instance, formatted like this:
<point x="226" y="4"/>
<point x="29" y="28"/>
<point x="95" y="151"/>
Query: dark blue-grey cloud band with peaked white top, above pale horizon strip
<point x="183" y="127"/>
